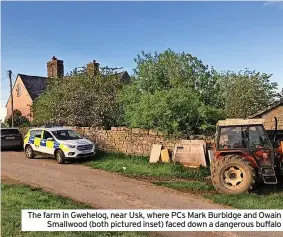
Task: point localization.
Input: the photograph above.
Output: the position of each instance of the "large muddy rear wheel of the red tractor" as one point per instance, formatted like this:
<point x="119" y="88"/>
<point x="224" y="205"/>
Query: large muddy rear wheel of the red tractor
<point x="233" y="175"/>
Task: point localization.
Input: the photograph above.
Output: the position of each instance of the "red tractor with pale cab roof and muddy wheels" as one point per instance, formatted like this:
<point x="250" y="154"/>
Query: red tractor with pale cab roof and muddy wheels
<point x="243" y="154"/>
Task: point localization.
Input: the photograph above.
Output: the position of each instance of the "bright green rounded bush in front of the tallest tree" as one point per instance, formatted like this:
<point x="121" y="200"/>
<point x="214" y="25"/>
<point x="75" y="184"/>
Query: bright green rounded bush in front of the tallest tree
<point x="174" y="111"/>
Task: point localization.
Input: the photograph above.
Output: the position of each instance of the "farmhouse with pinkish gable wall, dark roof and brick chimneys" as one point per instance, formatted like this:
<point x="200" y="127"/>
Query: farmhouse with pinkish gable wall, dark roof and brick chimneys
<point x="27" y="87"/>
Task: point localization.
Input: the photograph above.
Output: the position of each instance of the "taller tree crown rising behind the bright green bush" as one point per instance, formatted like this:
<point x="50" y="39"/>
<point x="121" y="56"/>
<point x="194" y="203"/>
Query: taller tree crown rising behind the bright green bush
<point x="166" y="70"/>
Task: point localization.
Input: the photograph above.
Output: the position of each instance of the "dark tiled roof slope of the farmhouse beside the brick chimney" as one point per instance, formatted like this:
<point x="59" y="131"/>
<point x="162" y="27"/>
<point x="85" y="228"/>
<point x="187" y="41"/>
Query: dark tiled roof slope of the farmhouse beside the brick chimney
<point x="35" y="85"/>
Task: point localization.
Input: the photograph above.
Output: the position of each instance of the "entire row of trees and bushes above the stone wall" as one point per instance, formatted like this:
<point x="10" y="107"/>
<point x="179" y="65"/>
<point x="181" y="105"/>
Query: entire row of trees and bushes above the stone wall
<point x="171" y="92"/>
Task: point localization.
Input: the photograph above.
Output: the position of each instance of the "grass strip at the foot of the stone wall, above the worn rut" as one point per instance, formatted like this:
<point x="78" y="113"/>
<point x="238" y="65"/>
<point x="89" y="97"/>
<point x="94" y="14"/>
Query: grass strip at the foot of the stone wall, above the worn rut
<point x="140" y="167"/>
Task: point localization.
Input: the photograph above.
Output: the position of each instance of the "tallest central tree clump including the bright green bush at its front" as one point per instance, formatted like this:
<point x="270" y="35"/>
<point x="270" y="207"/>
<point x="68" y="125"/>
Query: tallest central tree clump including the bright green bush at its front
<point x="172" y="92"/>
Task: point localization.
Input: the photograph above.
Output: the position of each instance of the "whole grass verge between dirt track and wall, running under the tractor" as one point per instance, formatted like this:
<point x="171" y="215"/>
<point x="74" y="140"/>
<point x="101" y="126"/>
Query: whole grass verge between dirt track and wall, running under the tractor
<point x="192" y="180"/>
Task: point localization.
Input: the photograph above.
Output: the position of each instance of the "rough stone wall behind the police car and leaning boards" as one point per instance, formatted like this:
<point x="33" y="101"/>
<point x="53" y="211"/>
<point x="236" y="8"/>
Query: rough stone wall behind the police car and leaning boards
<point x="133" y="141"/>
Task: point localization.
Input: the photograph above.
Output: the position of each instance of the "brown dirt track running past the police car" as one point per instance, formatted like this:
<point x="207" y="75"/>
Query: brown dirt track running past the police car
<point x="105" y="190"/>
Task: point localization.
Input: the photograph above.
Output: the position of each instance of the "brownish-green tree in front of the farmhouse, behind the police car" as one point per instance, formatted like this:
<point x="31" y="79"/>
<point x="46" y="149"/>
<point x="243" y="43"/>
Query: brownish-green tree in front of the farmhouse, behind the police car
<point x="80" y="99"/>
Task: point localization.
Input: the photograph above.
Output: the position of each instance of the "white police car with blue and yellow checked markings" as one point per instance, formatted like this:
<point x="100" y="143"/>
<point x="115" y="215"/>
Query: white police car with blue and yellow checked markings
<point x="61" y="142"/>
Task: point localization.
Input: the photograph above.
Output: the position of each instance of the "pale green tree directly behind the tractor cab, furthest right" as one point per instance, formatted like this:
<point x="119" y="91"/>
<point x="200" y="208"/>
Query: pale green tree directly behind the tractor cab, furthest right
<point x="247" y="92"/>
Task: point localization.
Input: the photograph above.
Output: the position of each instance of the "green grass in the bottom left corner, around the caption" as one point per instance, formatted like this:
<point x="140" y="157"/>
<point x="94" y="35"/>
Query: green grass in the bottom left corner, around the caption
<point x="16" y="197"/>
